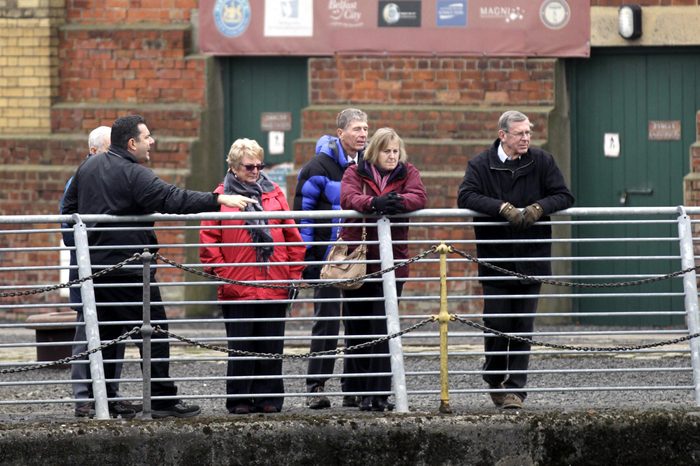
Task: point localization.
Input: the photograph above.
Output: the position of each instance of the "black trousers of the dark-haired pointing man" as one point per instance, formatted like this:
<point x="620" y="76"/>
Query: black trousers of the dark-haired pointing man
<point x="111" y="314"/>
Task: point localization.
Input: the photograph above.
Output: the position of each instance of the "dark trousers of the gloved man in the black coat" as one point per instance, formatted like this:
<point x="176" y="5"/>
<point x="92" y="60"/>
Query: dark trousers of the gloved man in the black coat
<point x="515" y="357"/>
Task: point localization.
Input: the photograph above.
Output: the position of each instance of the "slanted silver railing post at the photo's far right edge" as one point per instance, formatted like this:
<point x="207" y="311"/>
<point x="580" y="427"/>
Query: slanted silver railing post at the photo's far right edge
<point x="690" y="290"/>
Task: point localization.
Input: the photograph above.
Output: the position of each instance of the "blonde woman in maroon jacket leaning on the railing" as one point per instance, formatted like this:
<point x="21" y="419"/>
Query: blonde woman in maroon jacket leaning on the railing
<point x="385" y="184"/>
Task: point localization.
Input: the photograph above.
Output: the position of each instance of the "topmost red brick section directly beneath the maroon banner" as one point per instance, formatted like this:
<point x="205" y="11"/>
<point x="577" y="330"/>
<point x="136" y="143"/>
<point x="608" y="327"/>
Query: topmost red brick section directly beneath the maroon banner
<point x="417" y="80"/>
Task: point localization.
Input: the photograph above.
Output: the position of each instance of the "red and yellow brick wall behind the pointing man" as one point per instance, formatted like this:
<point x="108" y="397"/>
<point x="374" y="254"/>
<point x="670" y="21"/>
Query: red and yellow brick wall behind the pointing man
<point x="71" y="67"/>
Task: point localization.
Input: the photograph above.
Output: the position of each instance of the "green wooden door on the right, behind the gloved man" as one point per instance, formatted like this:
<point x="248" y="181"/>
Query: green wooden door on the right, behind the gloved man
<point x="620" y="93"/>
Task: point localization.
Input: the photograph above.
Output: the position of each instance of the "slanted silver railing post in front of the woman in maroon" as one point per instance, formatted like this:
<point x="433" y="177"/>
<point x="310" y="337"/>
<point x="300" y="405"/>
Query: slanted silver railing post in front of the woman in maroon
<point x="391" y="305"/>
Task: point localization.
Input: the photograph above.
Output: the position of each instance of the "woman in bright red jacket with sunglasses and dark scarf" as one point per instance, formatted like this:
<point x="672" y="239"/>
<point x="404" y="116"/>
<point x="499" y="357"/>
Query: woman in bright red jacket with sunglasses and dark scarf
<point x="265" y="253"/>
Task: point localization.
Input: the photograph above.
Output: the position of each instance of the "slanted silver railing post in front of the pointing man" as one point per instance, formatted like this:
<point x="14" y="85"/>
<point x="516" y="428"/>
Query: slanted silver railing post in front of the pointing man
<point x="92" y="329"/>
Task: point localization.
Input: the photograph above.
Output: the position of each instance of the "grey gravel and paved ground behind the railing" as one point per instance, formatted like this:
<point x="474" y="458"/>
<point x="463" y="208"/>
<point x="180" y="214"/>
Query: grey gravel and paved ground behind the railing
<point x="657" y="379"/>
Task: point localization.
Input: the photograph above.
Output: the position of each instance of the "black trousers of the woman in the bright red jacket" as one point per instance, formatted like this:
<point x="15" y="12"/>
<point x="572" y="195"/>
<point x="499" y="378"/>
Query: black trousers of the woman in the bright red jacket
<point x="254" y="367"/>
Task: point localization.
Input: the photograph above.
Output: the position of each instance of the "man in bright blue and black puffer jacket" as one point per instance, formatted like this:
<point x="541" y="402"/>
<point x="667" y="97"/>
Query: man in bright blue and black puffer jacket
<point x="318" y="188"/>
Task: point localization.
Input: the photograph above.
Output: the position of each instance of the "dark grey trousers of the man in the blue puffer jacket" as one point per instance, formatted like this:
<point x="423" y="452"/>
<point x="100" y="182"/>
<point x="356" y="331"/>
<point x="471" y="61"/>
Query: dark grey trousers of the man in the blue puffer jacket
<point x="324" y="328"/>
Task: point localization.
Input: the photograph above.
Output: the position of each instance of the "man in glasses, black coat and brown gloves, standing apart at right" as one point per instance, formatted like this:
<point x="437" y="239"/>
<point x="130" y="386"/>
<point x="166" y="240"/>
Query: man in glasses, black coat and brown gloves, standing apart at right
<point x="522" y="185"/>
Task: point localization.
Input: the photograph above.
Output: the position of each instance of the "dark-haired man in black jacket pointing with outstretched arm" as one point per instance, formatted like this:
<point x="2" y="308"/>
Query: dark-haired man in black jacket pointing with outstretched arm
<point x="118" y="183"/>
